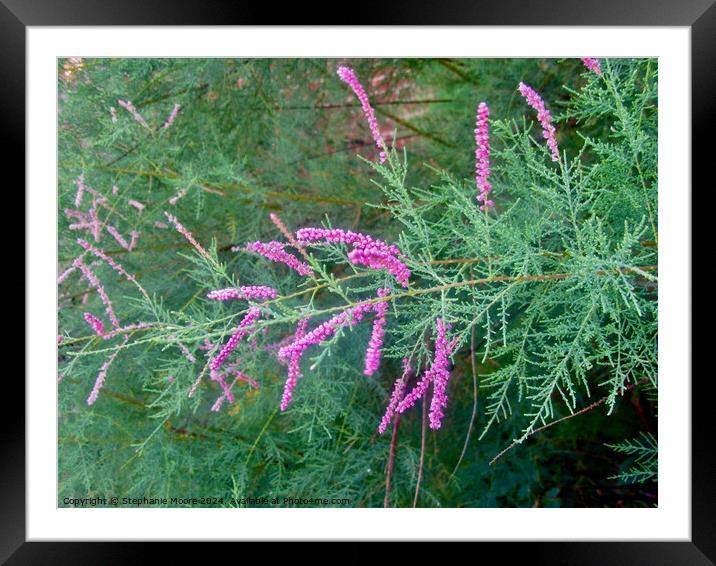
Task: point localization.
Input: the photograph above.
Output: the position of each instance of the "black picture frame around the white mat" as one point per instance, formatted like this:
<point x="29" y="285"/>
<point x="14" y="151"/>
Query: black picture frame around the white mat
<point x="699" y="15"/>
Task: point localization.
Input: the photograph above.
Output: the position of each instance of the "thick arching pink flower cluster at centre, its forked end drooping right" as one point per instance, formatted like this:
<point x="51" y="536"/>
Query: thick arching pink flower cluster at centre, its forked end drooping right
<point x="368" y="251"/>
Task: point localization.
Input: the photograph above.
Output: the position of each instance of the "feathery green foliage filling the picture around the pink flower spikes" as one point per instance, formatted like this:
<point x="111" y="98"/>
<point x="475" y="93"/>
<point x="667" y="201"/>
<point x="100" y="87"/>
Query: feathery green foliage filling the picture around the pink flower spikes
<point x="551" y="295"/>
